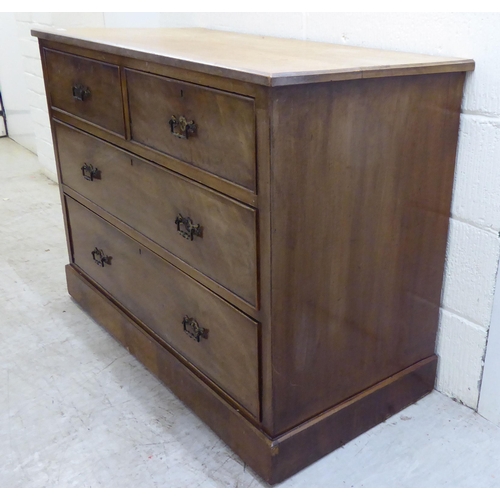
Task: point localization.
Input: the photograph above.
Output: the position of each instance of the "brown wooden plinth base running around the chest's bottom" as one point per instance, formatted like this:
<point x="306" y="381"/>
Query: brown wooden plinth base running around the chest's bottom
<point x="274" y="459"/>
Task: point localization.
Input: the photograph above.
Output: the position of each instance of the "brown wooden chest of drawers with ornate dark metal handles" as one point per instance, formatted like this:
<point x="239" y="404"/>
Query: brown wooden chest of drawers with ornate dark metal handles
<point x="261" y="222"/>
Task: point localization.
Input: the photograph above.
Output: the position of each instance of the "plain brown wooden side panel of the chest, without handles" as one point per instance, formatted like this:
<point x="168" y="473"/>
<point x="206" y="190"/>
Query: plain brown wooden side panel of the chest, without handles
<point x="360" y="226"/>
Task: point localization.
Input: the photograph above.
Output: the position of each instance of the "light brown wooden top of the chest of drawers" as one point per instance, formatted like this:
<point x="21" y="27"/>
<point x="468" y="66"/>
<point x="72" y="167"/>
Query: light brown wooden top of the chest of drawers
<point x="251" y="58"/>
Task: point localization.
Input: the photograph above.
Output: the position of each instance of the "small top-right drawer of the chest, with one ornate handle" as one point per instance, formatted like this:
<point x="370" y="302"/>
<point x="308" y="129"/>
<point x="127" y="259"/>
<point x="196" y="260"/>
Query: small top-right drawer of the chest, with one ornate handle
<point x="223" y="142"/>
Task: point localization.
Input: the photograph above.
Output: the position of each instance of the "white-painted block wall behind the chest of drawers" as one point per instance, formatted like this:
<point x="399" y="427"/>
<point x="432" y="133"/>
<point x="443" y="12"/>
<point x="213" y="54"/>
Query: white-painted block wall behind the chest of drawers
<point x="474" y="245"/>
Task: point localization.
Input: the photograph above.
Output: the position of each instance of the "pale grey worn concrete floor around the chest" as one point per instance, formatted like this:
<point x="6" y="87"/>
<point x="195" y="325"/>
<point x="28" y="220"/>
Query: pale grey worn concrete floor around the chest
<point x="77" y="410"/>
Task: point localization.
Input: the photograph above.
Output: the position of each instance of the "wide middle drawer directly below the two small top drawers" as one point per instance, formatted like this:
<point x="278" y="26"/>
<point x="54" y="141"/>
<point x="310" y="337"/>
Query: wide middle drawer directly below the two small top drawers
<point x="150" y="199"/>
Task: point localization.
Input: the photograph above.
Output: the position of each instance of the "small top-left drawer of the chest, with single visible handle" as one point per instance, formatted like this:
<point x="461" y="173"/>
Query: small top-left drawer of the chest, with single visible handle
<point x="86" y="88"/>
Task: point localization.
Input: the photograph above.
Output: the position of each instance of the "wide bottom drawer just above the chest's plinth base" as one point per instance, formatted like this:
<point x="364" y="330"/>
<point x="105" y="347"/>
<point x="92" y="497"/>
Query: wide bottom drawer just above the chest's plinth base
<point x="171" y="304"/>
